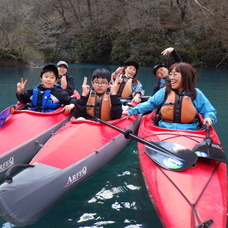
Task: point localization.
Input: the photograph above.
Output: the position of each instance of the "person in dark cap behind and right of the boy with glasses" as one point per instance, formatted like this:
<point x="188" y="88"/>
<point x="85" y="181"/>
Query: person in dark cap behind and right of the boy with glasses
<point x="128" y="85"/>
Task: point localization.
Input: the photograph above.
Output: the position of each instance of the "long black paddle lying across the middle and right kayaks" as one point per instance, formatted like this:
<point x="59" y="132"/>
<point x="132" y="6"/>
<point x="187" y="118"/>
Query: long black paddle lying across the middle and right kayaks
<point x="169" y="155"/>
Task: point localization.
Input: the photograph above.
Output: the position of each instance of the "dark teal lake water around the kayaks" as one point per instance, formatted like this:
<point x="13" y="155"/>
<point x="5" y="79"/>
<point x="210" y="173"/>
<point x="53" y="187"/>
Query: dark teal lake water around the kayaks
<point x="116" y="196"/>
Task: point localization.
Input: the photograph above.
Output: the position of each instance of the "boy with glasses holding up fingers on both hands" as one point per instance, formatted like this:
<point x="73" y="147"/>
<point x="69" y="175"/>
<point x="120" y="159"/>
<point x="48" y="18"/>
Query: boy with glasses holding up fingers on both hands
<point x="101" y="100"/>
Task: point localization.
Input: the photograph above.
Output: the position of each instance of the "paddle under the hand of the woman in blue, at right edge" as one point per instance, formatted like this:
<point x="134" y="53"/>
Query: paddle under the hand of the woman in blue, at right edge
<point x="208" y="149"/>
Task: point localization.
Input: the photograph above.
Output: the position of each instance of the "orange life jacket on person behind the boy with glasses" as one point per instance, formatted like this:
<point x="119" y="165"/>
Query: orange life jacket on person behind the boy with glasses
<point x="124" y="87"/>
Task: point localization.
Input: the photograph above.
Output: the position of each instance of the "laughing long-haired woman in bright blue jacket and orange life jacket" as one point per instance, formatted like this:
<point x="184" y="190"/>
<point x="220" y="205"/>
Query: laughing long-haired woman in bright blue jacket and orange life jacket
<point x="179" y="102"/>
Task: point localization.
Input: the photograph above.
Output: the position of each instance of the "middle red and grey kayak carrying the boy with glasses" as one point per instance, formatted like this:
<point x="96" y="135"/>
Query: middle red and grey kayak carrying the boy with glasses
<point x="57" y="170"/>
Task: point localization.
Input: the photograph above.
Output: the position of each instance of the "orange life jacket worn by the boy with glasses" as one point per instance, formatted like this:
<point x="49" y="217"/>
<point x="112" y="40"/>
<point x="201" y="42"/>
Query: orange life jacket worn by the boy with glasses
<point x="100" y="108"/>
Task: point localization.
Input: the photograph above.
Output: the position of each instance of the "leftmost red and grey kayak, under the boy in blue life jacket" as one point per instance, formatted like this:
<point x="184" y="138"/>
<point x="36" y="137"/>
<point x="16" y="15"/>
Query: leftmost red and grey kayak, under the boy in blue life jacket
<point x="24" y="132"/>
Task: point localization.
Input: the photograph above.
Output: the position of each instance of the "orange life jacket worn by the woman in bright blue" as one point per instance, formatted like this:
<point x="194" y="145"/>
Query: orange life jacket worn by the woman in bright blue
<point x="178" y="108"/>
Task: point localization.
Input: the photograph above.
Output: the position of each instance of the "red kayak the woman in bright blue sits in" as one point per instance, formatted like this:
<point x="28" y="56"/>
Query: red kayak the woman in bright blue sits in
<point x="194" y="197"/>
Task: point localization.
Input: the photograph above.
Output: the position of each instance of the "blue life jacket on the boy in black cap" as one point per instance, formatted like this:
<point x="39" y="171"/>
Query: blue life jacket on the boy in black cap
<point x="47" y="105"/>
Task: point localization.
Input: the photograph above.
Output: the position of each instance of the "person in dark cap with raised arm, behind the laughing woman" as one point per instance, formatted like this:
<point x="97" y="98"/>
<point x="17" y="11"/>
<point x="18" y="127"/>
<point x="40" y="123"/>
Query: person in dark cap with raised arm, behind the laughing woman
<point x="161" y="72"/>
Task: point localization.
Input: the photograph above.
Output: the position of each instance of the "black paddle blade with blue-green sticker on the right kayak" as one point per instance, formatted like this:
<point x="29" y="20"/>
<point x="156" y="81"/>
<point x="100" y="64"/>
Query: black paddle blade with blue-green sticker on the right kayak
<point x="179" y="158"/>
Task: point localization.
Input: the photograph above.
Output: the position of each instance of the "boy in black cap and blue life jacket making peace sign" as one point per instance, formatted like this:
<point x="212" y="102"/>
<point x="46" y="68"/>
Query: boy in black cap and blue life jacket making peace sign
<point x="47" y="96"/>
